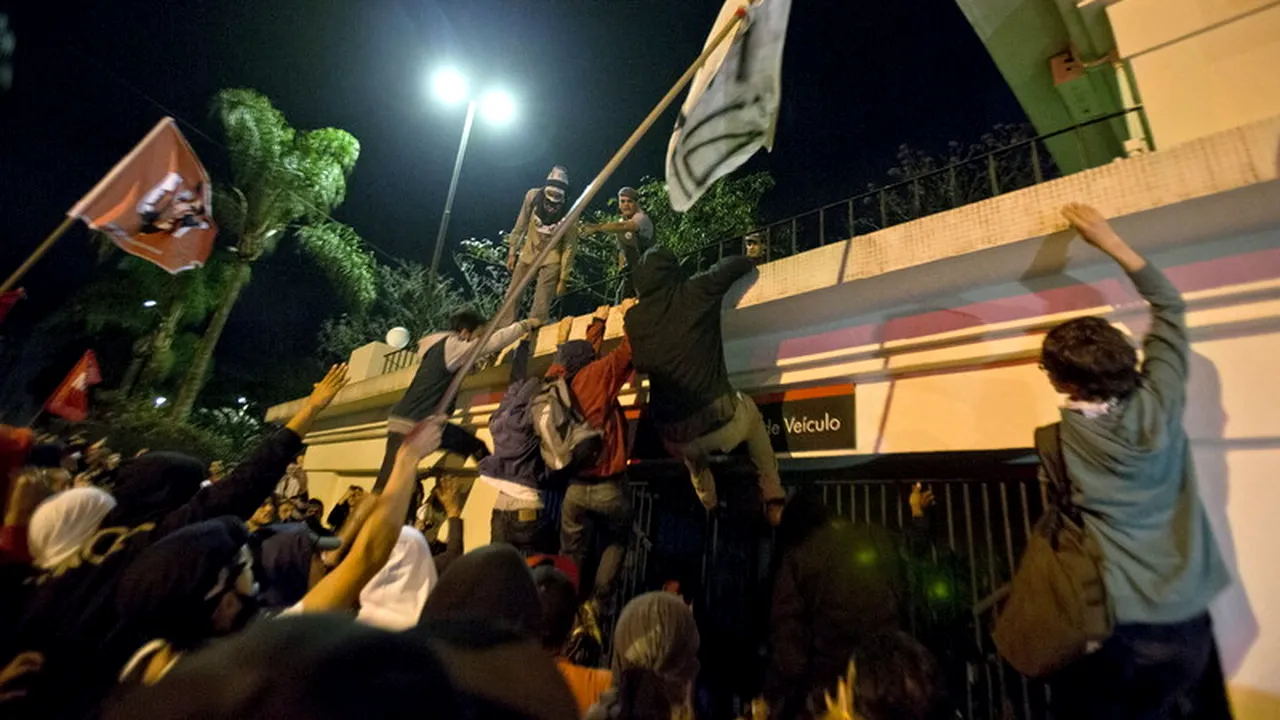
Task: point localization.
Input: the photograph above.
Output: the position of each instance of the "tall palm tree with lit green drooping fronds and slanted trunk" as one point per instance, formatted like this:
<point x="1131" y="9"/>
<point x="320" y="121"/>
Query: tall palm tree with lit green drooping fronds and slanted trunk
<point x="285" y="183"/>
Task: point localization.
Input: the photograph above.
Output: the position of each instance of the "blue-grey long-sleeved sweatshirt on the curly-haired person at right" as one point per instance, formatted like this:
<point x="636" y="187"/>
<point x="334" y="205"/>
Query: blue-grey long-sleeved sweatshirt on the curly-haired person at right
<point x="1133" y="477"/>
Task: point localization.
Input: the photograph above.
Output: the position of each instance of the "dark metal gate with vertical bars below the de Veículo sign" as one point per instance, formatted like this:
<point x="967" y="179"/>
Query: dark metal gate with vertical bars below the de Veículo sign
<point x="976" y="532"/>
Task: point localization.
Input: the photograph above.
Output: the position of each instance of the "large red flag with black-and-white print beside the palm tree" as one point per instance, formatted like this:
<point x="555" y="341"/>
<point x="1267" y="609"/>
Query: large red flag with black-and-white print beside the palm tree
<point x="157" y="203"/>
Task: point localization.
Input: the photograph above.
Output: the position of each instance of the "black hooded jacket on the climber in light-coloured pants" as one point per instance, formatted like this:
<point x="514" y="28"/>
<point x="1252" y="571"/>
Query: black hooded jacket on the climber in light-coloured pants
<point x="676" y="339"/>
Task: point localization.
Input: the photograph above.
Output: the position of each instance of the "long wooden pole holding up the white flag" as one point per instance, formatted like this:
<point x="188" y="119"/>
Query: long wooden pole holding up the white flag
<point x="514" y="294"/>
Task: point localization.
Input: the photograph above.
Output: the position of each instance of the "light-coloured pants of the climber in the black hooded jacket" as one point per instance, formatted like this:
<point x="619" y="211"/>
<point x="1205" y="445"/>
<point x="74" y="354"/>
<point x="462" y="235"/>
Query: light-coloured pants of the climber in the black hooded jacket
<point x="746" y="426"/>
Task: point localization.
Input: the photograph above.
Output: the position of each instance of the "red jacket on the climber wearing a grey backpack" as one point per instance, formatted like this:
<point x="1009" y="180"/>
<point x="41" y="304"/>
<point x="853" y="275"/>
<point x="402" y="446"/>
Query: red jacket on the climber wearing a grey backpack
<point x="596" y="389"/>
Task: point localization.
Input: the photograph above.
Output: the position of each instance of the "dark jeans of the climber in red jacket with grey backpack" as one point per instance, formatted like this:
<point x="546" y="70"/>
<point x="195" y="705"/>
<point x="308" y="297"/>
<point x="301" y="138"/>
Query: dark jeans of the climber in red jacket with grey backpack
<point x="601" y="509"/>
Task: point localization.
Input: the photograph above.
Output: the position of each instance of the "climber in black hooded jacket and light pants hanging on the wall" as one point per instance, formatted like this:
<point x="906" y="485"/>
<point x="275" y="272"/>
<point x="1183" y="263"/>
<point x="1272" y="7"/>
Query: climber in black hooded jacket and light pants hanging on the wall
<point x="676" y="339"/>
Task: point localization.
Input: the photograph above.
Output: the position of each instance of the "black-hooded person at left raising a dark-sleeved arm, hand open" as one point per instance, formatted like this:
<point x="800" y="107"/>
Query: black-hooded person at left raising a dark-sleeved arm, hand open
<point x="71" y="613"/>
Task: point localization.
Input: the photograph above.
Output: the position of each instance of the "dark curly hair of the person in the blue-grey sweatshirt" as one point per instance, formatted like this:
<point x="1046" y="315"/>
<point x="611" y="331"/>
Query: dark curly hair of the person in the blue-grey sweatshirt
<point x="1092" y="358"/>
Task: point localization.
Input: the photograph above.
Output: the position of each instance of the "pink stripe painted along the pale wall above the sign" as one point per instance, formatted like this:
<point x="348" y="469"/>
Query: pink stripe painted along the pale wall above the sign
<point x="1222" y="272"/>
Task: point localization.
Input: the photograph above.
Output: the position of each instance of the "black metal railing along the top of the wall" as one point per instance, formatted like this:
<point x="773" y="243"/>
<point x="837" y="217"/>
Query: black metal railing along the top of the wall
<point x="984" y="176"/>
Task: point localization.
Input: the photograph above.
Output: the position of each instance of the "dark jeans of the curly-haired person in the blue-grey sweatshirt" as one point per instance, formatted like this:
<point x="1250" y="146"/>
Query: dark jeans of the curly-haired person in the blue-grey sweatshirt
<point x="1146" y="673"/>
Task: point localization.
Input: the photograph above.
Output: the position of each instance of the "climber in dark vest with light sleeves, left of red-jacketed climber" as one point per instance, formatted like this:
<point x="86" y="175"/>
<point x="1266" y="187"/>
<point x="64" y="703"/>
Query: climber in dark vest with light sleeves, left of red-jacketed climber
<point x="442" y="356"/>
